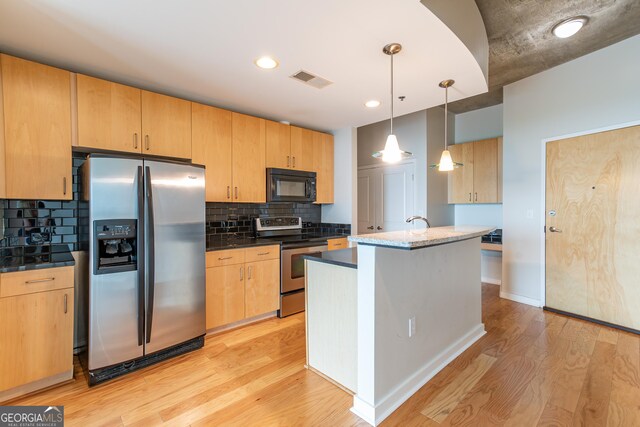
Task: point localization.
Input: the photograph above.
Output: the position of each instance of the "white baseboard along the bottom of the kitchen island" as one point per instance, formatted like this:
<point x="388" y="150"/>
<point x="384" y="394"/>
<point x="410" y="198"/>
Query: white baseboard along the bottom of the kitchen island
<point x="374" y="415"/>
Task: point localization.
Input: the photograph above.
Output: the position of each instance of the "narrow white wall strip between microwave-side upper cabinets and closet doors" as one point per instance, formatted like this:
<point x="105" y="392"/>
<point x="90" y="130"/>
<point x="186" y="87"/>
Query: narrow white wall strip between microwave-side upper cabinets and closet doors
<point x="343" y="210"/>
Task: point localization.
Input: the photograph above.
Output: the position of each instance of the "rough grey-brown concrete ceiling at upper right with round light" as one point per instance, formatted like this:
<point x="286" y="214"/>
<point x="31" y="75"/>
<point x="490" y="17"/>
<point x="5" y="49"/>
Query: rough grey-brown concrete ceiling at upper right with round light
<point x="521" y="43"/>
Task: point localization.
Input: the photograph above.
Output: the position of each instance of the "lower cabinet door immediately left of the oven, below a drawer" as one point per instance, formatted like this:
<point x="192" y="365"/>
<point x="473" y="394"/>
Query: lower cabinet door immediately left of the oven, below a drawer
<point x="262" y="287"/>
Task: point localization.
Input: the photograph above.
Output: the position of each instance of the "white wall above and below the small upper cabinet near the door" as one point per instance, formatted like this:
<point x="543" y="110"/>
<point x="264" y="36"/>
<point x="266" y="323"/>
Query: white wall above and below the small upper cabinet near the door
<point x="471" y="126"/>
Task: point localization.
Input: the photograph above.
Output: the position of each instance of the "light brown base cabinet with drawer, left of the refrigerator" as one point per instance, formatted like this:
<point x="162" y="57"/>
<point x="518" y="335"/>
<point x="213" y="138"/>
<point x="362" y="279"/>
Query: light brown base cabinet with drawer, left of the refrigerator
<point x="36" y="325"/>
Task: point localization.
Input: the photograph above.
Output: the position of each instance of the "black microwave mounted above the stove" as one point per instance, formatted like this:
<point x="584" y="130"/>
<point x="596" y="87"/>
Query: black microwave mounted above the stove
<point x="285" y="185"/>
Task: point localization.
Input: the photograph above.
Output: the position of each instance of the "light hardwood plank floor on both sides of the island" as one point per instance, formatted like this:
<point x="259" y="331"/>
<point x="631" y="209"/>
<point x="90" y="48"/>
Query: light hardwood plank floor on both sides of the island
<point x="531" y="368"/>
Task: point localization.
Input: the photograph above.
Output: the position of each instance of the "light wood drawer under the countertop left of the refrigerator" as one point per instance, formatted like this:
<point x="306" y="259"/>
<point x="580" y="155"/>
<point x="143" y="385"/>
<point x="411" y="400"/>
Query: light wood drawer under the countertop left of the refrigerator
<point x="32" y="281"/>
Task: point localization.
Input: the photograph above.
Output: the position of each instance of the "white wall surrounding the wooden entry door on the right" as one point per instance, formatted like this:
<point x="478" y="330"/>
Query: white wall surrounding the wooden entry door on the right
<point x="598" y="90"/>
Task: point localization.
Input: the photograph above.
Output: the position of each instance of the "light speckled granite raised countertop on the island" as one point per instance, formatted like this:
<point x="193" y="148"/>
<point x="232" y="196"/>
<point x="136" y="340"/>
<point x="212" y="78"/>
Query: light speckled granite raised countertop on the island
<point x="415" y="239"/>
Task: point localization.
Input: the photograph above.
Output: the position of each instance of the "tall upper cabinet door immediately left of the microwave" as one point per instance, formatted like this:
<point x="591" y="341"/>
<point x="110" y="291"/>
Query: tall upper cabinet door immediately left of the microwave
<point x="249" y="171"/>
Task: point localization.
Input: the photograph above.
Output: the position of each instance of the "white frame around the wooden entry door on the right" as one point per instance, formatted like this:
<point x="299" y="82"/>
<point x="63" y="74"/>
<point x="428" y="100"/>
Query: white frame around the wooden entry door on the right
<point x="543" y="200"/>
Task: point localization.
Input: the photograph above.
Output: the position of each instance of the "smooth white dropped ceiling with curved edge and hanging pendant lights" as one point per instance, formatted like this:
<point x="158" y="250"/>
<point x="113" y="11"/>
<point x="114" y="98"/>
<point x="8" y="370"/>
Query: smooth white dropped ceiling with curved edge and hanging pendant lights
<point x="204" y="51"/>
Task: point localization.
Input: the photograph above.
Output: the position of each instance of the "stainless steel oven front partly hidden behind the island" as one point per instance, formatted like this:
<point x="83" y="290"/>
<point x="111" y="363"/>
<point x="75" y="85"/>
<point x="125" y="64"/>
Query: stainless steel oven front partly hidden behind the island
<point x="292" y="282"/>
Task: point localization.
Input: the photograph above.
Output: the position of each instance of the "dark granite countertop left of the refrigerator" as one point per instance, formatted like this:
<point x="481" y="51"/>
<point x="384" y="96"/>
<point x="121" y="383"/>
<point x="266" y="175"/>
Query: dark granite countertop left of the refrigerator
<point x="21" y="258"/>
